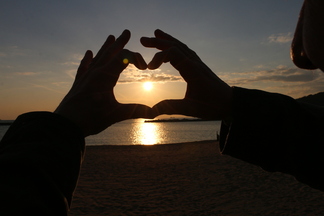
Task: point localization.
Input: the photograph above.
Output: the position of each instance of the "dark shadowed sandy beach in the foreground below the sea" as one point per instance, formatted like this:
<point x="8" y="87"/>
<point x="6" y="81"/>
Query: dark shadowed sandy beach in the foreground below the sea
<point x="185" y="179"/>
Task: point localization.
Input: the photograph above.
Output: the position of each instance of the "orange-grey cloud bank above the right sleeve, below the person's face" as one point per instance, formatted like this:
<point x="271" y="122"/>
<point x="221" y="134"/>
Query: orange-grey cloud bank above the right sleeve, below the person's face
<point x="292" y="81"/>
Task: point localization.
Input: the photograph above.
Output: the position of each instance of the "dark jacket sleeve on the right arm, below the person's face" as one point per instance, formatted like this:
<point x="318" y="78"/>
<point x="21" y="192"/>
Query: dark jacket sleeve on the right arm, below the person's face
<point x="277" y="133"/>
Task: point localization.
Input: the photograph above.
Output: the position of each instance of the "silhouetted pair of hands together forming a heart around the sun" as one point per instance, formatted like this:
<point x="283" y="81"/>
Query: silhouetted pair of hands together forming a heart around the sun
<point x="91" y="103"/>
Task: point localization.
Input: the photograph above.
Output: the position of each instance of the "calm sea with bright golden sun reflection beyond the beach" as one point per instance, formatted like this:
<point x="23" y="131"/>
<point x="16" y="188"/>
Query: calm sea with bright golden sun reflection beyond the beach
<point x="139" y="132"/>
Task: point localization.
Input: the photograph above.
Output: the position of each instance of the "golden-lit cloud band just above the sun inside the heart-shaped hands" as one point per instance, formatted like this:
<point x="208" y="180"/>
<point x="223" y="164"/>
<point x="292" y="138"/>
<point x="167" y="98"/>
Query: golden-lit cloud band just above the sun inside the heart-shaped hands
<point x="132" y="75"/>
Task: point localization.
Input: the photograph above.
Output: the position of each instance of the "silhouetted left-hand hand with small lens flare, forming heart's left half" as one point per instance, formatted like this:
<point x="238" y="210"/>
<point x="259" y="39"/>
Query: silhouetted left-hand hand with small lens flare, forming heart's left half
<point x="91" y="103"/>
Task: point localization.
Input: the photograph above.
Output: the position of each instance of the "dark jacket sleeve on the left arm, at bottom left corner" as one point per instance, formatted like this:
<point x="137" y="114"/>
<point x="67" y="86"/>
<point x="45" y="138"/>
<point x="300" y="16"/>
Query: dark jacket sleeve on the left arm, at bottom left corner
<point x="40" y="158"/>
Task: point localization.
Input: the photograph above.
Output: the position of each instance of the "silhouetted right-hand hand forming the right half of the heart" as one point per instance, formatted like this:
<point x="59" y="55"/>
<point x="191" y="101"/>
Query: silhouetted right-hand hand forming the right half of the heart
<point x="206" y="96"/>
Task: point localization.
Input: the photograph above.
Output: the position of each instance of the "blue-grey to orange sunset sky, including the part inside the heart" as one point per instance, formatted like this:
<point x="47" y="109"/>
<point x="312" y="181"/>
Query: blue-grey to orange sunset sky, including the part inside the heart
<point x="246" y="43"/>
